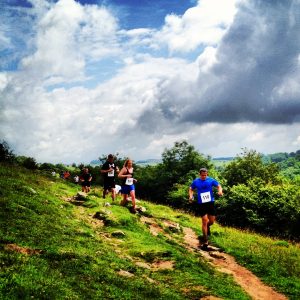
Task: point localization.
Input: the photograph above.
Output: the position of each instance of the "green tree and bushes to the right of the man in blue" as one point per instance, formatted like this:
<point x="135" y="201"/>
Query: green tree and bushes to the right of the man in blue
<point x="256" y="197"/>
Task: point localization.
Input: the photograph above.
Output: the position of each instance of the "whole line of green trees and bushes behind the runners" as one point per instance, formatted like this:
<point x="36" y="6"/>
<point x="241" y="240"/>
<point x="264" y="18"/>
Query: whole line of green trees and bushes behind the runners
<point x="257" y="193"/>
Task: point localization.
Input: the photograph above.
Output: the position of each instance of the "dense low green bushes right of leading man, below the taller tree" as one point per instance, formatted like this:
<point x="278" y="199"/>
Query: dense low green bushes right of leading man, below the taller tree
<point x="269" y="209"/>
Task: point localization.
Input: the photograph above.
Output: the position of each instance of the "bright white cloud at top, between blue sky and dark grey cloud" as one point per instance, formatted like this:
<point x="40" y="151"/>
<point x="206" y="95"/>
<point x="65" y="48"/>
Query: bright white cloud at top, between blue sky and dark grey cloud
<point x="204" y="24"/>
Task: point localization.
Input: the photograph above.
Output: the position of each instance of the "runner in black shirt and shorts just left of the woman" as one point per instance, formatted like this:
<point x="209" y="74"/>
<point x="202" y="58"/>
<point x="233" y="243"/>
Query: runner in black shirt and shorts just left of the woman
<point x="109" y="169"/>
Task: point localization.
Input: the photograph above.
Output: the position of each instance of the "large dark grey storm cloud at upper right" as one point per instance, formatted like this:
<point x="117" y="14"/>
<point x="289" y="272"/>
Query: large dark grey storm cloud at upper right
<point x="251" y="76"/>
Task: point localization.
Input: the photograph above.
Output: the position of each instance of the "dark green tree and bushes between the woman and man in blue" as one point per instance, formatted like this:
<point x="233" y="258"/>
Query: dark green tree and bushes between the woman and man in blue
<point x="168" y="181"/>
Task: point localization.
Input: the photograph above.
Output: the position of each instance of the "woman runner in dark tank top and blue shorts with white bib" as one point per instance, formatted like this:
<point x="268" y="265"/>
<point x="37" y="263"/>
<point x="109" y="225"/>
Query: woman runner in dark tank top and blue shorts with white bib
<point x="126" y="174"/>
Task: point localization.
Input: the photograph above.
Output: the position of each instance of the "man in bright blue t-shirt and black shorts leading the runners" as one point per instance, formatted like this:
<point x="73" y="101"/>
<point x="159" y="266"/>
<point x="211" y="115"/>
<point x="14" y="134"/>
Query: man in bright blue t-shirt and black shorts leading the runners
<point x="204" y="186"/>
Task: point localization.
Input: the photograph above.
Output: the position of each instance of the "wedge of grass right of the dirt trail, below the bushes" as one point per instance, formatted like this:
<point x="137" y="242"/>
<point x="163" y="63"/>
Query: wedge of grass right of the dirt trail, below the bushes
<point x="276" y="262"/>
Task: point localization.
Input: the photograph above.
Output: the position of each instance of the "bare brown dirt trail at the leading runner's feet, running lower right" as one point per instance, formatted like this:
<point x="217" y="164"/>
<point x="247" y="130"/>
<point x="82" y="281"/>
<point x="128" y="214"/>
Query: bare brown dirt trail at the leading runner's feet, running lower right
<point x="256" y="289"/>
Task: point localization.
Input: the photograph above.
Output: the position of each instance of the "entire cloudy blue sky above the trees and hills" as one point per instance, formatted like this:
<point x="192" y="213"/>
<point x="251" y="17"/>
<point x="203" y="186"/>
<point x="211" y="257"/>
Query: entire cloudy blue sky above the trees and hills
<point x="81" y="79"/>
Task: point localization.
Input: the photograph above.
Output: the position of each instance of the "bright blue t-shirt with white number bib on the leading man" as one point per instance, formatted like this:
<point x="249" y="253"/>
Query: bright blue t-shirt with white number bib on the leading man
<point x="204" y="189"/>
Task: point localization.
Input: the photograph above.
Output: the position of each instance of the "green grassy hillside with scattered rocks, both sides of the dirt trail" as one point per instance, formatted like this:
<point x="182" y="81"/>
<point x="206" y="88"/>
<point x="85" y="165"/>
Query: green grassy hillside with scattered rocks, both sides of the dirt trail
<point x="55" y="247"/>
